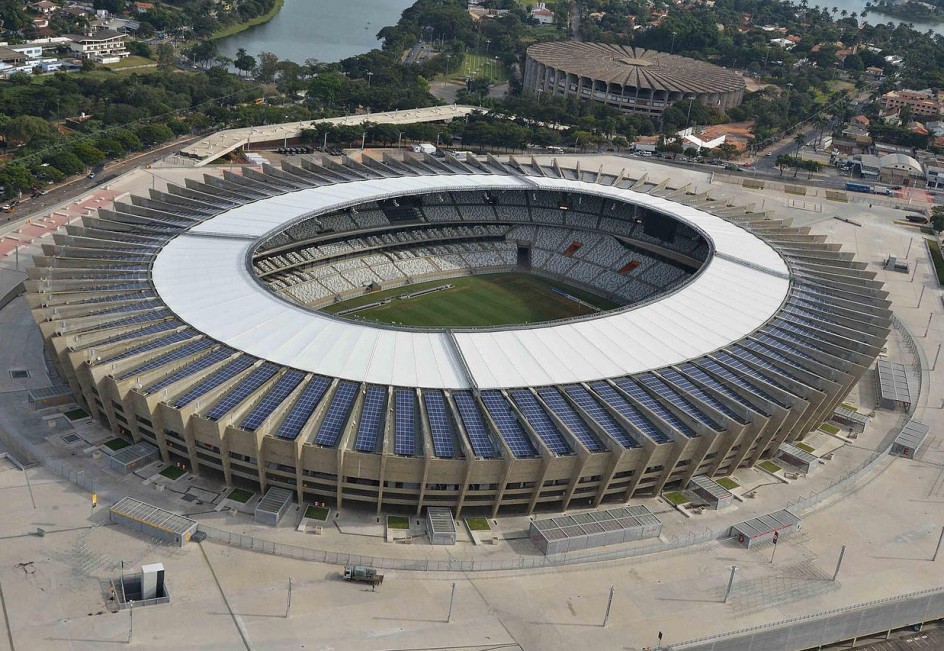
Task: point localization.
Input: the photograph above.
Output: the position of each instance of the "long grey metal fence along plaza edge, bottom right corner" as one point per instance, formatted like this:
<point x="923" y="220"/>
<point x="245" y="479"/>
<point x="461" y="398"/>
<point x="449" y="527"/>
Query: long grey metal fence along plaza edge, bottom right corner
<point x="828" y="627"/>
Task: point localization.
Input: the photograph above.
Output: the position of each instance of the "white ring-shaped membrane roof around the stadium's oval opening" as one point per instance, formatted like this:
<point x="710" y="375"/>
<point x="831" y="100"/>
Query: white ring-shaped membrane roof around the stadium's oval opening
<point x="204" y="278"/>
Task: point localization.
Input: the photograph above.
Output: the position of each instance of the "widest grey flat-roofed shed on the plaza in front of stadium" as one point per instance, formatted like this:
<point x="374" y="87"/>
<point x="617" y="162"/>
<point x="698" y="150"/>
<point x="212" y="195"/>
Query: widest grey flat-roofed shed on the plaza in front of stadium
<point x="569" y="533"/>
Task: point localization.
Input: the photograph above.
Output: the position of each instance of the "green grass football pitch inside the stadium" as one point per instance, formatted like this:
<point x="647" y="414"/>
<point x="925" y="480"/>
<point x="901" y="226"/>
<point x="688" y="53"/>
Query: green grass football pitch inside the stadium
<point x="475" y="301"/>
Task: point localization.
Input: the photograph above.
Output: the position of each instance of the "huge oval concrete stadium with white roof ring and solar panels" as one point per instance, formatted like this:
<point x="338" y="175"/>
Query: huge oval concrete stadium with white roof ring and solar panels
<point x="421" y="331"/>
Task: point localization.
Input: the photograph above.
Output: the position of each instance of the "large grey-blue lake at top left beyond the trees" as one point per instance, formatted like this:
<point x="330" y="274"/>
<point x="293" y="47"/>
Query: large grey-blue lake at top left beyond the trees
<point x="326" y="30"/>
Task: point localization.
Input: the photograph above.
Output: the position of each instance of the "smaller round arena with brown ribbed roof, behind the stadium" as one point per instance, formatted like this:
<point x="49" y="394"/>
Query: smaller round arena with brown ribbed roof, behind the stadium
<point x="631" y="79"/>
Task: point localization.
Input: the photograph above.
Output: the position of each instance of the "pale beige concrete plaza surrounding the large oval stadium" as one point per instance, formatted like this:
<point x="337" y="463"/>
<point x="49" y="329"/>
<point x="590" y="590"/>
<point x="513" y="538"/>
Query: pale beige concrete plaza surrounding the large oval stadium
<point x="53" y="588"/>
